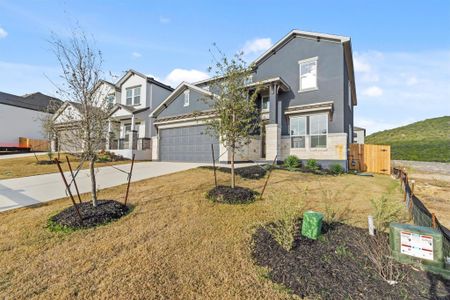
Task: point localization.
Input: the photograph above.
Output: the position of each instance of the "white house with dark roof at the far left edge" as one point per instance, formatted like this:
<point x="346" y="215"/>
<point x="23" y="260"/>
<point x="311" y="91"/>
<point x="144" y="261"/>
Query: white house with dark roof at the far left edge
<point x="21" y="116"/>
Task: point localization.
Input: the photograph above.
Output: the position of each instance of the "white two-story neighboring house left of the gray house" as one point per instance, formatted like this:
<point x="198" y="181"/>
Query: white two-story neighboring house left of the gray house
<point x="130" y="127"/>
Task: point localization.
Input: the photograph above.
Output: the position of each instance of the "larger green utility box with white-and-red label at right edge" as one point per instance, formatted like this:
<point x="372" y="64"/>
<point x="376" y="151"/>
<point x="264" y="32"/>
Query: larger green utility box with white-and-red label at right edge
<point x="421" y="246"/>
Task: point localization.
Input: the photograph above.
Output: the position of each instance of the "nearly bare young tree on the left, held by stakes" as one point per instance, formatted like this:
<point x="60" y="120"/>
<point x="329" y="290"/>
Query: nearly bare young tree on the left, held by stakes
<point x="85" y="126"/>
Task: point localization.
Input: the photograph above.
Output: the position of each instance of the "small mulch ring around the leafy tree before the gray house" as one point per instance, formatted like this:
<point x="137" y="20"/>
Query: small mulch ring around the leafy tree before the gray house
<point x="226" y="194"/>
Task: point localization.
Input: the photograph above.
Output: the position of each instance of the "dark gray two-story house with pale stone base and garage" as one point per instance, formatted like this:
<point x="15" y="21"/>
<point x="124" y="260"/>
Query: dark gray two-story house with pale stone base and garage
<point x="306" y="106"/>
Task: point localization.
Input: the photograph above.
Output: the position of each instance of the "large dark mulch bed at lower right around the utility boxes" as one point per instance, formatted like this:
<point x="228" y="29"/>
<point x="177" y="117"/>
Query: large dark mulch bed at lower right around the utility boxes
<point x="333" y="268"/>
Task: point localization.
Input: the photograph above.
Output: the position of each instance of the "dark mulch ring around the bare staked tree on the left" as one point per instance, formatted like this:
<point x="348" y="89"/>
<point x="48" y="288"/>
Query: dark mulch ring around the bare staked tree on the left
<point x="106" y="211"/>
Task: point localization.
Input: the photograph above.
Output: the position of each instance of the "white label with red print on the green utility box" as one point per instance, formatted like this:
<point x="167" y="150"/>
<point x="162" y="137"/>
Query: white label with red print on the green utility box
<point x="416" y="245"/>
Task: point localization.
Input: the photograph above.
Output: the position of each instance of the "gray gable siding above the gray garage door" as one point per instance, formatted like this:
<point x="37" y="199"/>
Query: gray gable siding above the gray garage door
<point x="196" y="103"/>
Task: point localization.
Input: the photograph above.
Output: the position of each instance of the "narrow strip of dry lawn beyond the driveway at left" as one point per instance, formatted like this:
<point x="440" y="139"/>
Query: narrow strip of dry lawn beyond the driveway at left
<point x="27" y="166"/>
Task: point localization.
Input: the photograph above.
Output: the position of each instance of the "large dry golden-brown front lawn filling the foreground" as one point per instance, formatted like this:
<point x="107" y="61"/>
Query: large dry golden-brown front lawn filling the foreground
<point x="174" y="244"/>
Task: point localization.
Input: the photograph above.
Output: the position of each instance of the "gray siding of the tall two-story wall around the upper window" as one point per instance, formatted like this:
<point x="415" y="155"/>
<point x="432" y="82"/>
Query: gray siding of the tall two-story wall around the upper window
<point x="330" y="74"/>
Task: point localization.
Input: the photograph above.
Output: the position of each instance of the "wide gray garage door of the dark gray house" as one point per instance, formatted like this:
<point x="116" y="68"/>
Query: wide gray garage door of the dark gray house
<point x="188" y="144"/>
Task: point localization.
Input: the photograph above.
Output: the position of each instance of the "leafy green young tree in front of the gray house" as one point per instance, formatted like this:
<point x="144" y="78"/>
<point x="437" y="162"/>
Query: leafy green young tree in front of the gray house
<point x="236" y="115"/>
